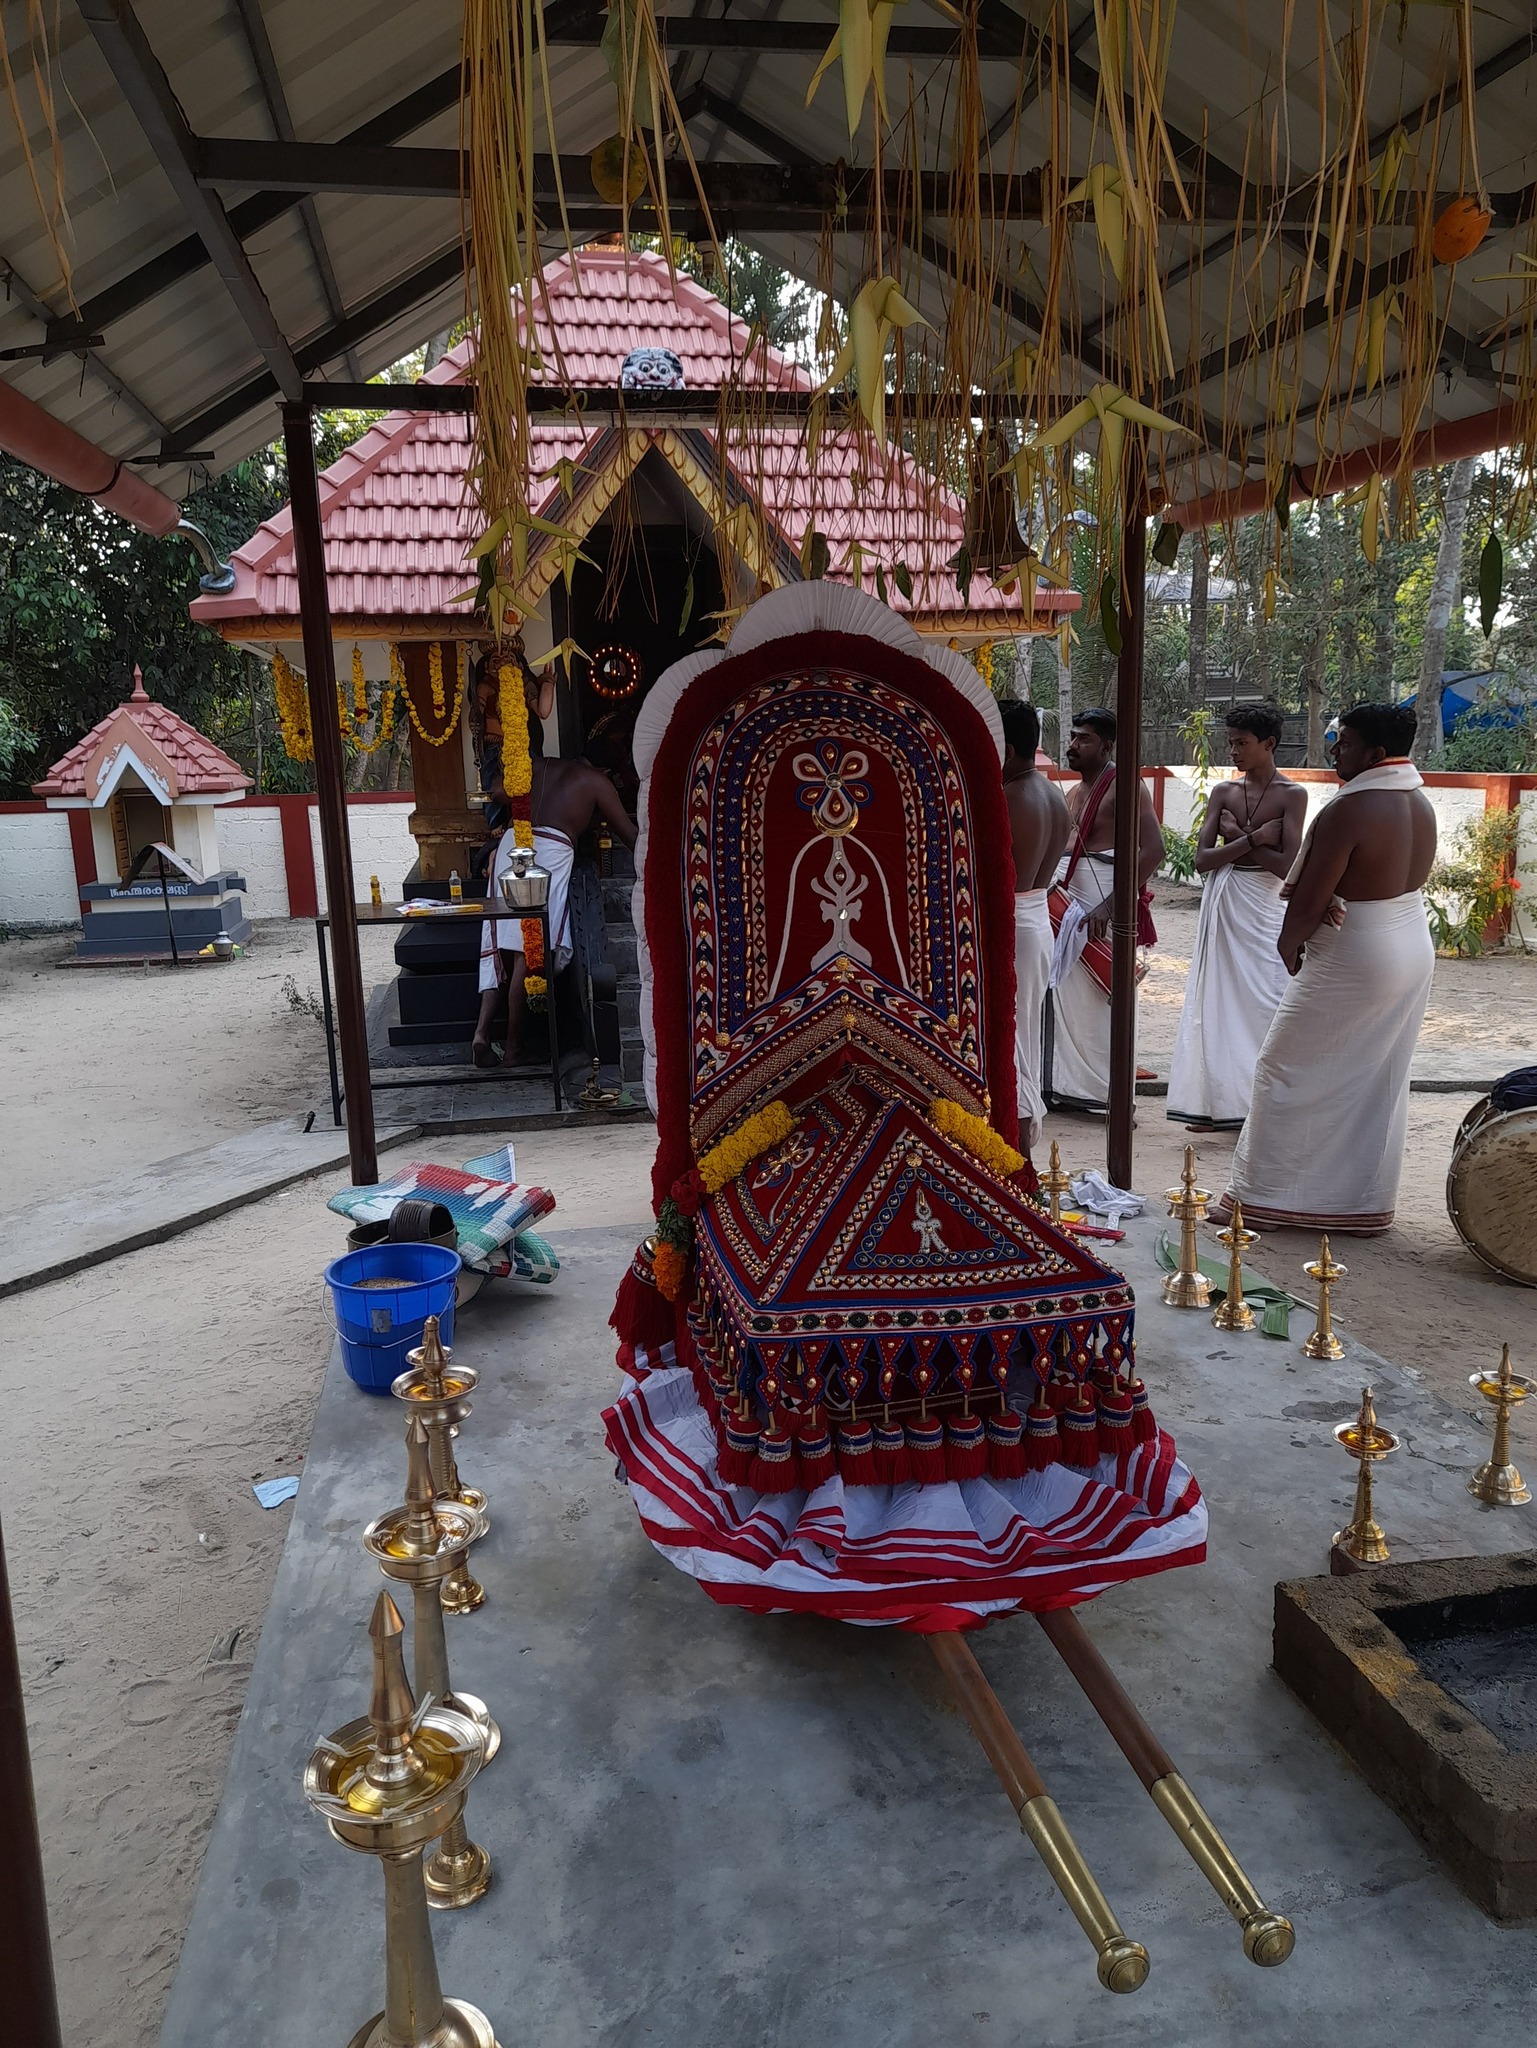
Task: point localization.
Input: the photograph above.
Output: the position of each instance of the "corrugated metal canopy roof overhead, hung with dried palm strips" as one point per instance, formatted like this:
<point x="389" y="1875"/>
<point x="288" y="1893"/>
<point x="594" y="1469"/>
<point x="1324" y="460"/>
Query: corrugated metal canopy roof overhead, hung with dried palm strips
<point x="183" y="351"/>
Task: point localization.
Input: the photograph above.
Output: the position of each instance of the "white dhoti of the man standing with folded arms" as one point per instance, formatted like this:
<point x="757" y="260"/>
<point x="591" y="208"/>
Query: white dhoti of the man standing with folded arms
<point x="1235" y="990"/>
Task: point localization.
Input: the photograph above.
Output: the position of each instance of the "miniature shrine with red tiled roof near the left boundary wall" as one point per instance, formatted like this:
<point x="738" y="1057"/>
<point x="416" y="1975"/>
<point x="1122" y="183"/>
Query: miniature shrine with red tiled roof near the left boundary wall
<point x="147" y="777"/>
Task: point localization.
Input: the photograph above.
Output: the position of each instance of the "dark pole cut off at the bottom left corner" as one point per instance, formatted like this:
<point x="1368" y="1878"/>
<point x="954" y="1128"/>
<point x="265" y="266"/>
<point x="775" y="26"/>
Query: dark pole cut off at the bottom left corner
<point x="28" y="1994"/>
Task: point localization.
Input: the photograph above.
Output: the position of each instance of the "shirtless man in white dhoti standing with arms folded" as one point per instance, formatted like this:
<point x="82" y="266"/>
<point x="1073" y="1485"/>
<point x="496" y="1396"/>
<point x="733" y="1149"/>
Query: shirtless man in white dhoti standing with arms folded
<point x="1249" y="841"/>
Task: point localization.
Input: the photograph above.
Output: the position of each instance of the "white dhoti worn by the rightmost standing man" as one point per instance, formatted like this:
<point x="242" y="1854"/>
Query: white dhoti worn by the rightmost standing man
<point x="1325" y="1136"/>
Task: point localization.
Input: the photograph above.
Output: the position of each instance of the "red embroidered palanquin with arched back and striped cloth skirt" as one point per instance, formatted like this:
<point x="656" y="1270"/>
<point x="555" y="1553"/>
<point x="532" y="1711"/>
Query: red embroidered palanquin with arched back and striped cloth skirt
<point x="868" y="1377"/>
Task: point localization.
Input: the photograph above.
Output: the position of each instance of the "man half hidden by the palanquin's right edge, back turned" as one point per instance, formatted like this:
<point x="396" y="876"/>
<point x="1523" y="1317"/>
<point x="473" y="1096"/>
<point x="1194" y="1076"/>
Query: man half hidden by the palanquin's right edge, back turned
<point x="1038" y="822"/>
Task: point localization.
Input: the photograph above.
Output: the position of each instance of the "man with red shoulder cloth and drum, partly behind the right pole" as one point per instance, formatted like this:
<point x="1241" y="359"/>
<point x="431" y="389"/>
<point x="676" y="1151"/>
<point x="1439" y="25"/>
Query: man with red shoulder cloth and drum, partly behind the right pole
<point x="1077" y="1041"/>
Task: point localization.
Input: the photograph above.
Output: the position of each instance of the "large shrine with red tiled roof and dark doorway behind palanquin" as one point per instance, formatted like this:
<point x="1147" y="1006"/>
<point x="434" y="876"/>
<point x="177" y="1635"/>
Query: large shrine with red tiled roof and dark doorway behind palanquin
<point x="675" y="525"/>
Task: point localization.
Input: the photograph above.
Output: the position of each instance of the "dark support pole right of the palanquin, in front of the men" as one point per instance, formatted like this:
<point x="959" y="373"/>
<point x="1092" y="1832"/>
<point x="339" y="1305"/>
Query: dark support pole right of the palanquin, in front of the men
<point x="1128" y="818"/>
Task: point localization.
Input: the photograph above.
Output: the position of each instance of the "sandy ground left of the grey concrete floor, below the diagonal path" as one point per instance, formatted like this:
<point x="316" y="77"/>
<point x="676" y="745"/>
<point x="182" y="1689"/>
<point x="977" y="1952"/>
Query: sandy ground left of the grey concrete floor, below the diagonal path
<point x="140" y="1560"/>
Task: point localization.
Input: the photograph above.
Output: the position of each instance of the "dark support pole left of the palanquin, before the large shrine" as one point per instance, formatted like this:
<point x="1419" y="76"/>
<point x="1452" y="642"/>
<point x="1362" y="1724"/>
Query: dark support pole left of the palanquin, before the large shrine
<point x="331" y="790"/>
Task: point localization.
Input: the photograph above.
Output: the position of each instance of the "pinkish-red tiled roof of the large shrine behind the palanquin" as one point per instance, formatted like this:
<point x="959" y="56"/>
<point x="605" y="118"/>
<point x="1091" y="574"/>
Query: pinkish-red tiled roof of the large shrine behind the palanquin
<point x="399" y="515"/>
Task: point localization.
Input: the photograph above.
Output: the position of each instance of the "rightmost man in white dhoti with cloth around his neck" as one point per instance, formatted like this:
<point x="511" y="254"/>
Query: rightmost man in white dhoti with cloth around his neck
<point x="1325" y="1138"/>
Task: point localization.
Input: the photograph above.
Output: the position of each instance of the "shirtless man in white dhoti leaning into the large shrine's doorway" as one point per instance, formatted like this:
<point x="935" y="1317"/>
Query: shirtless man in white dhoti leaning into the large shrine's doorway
<point x="565" y="802"/>
